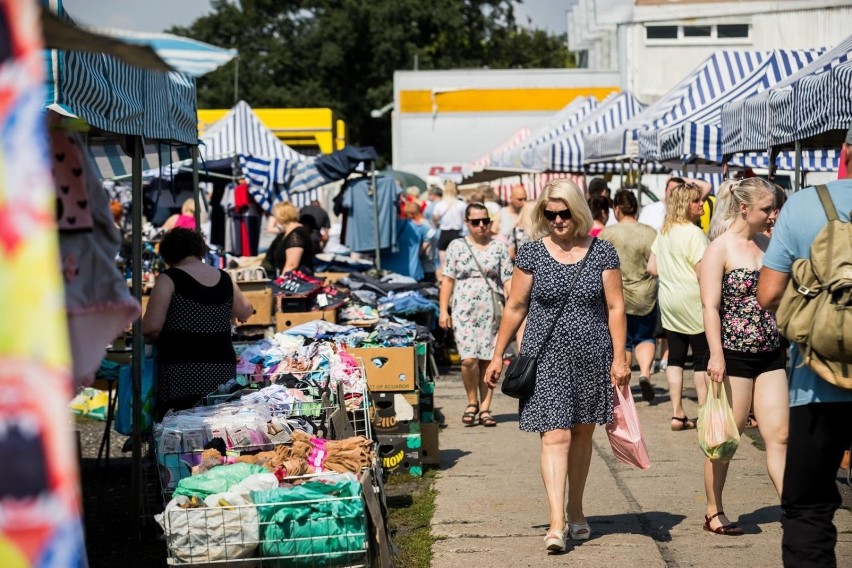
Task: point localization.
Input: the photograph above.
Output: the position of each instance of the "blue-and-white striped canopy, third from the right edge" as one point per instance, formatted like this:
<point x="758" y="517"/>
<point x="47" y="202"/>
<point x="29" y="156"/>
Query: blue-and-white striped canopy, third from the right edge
<point x="718" y="74"/>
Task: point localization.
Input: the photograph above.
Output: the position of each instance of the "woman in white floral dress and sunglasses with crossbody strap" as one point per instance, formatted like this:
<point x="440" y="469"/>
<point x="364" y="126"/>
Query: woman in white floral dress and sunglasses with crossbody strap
<point x="476" y="276"/>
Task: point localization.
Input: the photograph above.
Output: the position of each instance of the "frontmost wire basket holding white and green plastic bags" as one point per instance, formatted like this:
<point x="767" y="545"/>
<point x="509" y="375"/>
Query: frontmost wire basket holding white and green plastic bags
<point x="309" y="525"/>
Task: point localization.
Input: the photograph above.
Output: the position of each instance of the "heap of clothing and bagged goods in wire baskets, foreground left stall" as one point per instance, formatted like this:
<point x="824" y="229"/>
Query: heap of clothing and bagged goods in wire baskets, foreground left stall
<point x="265" y="470"/>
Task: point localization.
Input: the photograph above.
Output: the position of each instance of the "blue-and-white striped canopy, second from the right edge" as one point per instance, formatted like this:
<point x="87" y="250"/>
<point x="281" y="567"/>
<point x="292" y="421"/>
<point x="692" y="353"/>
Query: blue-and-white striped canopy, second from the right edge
<point x="698" y="136"/>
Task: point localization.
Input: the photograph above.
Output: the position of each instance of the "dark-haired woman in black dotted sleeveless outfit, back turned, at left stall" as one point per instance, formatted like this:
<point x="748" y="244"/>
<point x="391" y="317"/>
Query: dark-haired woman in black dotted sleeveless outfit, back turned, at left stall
<point x="189" y="317"/>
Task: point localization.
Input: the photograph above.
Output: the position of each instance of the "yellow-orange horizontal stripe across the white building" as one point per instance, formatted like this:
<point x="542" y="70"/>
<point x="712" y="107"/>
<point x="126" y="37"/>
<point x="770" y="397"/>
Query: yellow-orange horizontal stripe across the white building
<point x="496" y="100"/>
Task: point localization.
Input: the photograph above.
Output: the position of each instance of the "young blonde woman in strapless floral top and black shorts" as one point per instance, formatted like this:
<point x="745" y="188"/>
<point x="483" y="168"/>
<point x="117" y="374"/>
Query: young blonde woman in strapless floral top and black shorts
<point x="745" y="350"/>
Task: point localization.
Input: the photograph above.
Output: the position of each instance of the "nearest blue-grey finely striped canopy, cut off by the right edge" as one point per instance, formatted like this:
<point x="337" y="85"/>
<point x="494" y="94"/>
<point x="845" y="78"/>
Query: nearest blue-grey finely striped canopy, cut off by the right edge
<point x="815" y="95"/>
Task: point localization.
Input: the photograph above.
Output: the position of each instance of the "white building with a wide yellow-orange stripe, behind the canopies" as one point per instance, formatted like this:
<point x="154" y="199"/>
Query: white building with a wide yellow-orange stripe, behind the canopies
<point x="443" y="120"/>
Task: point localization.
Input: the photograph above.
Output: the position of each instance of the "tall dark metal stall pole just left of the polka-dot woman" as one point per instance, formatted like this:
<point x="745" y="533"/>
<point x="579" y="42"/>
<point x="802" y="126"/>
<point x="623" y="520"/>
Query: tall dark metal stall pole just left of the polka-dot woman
<point x="138" y="352"/>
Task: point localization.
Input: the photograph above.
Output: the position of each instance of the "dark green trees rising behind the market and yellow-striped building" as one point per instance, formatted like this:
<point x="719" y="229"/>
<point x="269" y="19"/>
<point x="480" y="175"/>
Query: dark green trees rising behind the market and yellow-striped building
<point x="342" y="53"/>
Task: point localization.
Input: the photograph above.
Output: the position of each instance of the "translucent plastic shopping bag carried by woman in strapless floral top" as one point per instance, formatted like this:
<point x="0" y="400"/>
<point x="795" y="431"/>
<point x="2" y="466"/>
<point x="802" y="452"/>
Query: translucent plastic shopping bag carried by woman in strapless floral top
<point x="717" y="430"/>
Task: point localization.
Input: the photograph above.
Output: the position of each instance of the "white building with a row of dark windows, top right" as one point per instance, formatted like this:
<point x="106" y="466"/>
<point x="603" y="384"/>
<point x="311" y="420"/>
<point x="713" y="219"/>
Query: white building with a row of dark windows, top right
<point x="654" y="43"/>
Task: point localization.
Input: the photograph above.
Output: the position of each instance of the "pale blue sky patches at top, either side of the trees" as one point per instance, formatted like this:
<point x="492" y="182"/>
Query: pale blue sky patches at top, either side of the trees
<point x="157" y="15"/>
